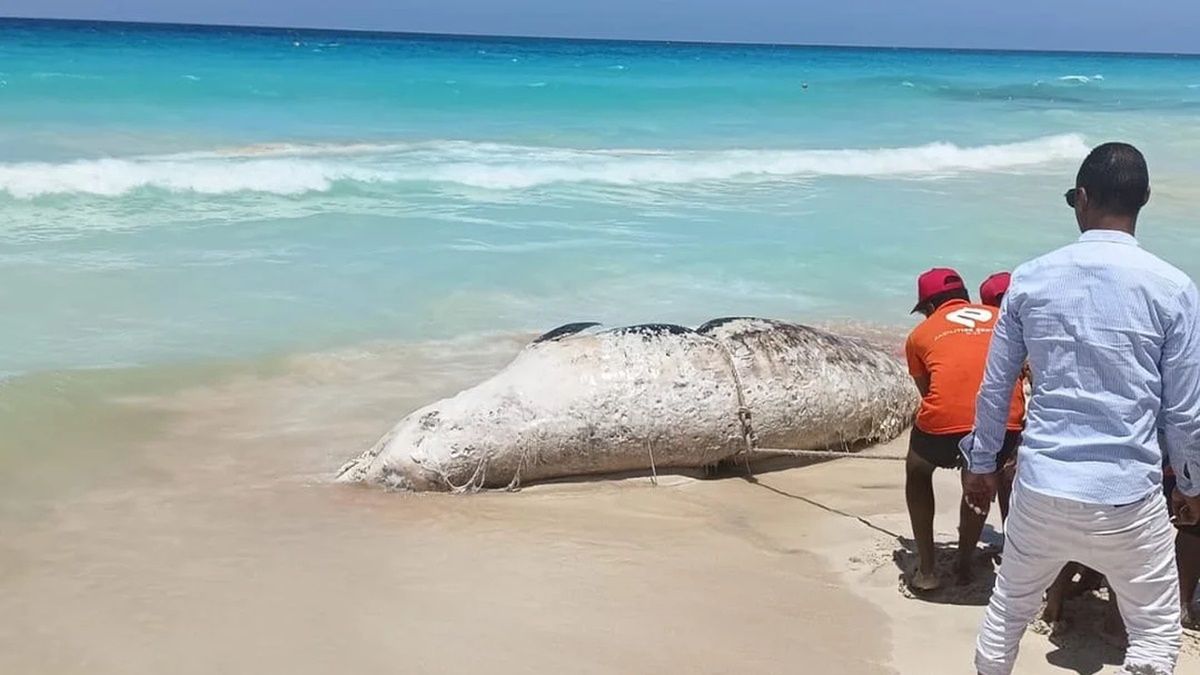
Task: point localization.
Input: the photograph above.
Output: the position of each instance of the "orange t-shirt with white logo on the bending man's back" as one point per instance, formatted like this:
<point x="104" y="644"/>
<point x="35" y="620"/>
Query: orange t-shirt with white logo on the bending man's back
<point x="951" y="349"/>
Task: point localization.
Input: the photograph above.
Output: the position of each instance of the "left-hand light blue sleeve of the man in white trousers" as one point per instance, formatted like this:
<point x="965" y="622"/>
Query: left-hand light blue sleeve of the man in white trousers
<point x="1006" y="359"/>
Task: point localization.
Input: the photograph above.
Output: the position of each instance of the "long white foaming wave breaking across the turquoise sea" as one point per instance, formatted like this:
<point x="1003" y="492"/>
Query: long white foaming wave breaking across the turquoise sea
<point x="295" y="170"/>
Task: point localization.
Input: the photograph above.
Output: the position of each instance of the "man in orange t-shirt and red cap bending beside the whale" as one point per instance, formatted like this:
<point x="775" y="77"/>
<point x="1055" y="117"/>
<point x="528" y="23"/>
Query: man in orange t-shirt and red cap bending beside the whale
<point x="946" y="356"/>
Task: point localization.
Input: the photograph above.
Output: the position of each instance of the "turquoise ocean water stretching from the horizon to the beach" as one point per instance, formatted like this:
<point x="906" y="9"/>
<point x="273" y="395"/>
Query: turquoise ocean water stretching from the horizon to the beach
<point x="178" y="195"/>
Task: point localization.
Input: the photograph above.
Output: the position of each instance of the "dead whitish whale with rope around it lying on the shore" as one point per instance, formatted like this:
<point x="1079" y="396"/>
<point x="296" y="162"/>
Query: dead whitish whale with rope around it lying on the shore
<point x="584" y="401"/>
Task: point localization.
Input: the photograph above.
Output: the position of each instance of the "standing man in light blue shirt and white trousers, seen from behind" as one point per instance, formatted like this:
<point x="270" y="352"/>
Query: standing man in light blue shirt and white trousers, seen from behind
<point x="1113" y="339"/>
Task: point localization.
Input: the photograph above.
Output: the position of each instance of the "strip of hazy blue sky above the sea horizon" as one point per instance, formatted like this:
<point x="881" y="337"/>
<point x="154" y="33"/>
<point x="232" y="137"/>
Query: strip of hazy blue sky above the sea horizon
<point x="1119" y="26"/>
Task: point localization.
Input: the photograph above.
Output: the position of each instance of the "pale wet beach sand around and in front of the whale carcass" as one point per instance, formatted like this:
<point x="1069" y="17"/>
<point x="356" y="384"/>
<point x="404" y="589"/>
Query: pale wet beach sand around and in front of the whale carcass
<point x="213" y="541"/>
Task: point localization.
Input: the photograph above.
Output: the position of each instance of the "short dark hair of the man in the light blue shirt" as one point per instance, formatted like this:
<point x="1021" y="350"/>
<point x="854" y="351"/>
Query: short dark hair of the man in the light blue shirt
<point x="1117" y="180"/>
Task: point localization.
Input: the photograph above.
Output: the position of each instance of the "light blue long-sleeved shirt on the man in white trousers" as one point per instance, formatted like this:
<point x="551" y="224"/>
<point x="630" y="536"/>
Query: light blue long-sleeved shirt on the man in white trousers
<point x="1113" y="338"/>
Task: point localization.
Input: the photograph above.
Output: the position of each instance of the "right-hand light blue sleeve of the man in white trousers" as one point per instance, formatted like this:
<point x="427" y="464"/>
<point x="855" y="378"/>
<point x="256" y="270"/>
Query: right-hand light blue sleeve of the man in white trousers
<point x="1180" y="368"/>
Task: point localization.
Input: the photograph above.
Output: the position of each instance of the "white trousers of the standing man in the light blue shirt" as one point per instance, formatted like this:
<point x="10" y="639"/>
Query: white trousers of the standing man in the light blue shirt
<point x="1133" y="546"/>
